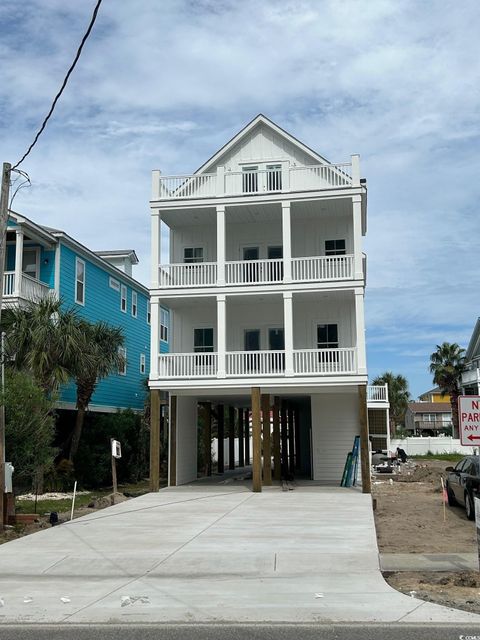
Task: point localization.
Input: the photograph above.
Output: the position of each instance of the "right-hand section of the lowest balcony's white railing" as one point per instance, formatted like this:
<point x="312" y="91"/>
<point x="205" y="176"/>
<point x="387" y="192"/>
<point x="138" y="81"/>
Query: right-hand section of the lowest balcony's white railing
<point x="324" y="361"/>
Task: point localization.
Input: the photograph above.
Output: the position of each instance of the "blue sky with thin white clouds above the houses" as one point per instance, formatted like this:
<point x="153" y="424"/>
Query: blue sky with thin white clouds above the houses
<point x="163" y="84"/>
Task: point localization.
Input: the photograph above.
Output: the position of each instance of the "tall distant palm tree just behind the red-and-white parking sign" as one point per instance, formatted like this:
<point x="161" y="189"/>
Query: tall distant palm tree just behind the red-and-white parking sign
<point x="447" y="364"/>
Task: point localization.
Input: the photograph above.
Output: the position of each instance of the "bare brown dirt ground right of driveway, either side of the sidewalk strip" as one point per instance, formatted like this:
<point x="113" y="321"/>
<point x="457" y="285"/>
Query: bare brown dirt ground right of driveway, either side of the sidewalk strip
<point x="409" y="518"/>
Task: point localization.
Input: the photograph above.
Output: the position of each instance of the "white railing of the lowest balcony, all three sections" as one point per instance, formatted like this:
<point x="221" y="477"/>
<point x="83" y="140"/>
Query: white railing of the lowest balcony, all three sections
<point x="245" y="364"/>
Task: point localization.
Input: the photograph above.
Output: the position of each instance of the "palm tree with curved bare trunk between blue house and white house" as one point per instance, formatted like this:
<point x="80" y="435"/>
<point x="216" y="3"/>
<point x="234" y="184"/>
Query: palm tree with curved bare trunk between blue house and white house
<point x="100" y="356"/>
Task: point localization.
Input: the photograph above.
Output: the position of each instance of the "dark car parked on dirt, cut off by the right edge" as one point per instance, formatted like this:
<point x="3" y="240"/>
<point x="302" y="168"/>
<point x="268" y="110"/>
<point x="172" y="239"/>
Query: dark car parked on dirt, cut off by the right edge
<point x="463" y="484"/>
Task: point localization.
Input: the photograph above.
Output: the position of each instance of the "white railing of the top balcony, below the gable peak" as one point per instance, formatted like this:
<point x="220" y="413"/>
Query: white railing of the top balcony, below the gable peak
<point x="281" y="179"/>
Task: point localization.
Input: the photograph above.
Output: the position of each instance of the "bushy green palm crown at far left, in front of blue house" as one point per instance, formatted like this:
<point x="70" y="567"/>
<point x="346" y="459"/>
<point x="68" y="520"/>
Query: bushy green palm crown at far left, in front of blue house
<point x="43" y="338"/>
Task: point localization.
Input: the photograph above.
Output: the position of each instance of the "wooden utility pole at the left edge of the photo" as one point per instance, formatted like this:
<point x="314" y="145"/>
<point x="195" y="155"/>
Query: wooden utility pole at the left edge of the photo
<point x="4" y="196"/>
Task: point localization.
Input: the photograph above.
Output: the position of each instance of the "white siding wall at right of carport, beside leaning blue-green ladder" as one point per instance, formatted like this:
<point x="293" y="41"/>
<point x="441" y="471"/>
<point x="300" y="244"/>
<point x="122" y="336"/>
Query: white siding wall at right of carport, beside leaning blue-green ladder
<point x="335" y="423"/>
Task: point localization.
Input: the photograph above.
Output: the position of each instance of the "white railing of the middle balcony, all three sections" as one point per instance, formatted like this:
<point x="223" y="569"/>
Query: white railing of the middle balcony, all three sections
<point x="242" y="272"/>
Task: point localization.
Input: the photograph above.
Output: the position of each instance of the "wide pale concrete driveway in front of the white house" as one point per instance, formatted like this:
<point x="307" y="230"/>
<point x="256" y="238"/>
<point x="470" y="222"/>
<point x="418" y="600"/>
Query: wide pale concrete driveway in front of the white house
<point x="206" y="554"/>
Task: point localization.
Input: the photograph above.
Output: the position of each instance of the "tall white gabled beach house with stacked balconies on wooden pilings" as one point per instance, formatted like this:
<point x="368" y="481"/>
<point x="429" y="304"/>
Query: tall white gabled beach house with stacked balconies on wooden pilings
<point x="265" y="282"/>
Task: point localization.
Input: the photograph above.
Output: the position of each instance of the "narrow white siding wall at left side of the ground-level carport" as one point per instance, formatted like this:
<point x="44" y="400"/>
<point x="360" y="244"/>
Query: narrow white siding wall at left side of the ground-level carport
<point x="186" y="439"/>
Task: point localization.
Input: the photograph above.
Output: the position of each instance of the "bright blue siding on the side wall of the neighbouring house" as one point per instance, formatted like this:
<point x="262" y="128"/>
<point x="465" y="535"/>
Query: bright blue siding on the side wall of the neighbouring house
<point x="102" y="302"/>
